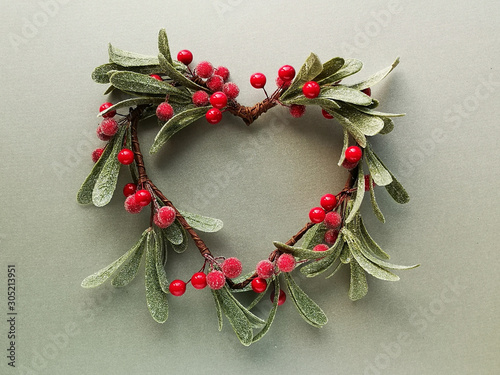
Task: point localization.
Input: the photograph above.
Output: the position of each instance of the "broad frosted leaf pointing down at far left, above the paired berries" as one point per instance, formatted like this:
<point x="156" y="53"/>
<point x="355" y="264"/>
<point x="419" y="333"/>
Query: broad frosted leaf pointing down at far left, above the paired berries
<point x="106" y="182"/>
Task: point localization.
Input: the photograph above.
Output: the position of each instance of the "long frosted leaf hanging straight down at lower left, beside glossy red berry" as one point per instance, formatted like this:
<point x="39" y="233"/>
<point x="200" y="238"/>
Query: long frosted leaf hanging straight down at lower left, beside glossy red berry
<point x="155" y="297"/>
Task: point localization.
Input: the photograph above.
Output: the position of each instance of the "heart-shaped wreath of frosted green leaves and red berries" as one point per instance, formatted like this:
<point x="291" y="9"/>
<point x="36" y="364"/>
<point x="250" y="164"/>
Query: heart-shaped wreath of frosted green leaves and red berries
<point x="178" y="96"/>
